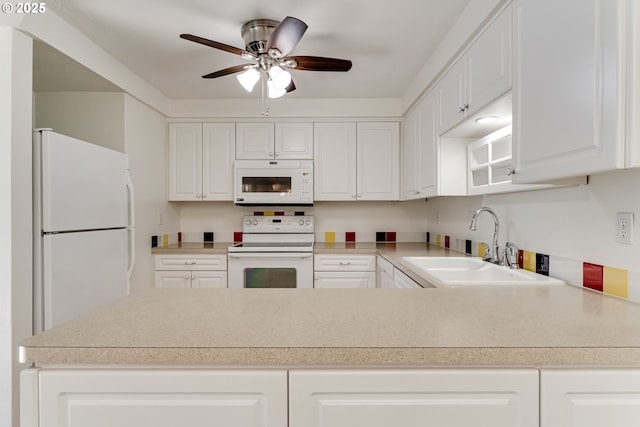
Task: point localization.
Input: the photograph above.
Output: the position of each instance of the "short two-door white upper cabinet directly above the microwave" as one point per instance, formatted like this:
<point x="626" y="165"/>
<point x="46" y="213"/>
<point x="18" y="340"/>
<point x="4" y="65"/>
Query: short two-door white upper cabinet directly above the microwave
<point x="274" y="141"/>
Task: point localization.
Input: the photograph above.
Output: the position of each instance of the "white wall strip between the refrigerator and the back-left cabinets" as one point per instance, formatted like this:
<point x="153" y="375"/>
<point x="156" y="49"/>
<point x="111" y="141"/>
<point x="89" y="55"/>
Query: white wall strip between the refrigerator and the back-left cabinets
<point x="146" y="136"/>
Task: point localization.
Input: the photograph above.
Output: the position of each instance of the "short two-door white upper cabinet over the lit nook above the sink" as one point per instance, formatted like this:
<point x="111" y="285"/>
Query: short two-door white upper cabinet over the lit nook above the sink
<point x="479" y="77"/>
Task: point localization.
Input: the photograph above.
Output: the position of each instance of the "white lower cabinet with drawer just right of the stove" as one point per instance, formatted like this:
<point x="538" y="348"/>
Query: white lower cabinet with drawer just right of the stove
<point x="344" y="271"/>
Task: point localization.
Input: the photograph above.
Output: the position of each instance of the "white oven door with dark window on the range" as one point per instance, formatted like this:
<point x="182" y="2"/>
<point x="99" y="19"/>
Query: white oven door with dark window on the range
<point x="270" y="270"/>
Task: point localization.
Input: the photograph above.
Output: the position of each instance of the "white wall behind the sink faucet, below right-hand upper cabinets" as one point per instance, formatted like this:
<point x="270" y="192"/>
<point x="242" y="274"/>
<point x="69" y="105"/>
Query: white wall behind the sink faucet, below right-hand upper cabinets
<point x="572" y="222"/>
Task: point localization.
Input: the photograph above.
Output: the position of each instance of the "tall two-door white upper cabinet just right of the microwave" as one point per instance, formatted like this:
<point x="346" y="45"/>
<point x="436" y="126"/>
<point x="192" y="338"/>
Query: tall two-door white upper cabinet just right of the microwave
<point x="357" y="161"/>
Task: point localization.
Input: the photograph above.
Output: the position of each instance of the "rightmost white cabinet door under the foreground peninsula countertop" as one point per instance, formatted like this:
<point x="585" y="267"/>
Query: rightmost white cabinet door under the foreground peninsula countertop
<point x="590" y="397"/>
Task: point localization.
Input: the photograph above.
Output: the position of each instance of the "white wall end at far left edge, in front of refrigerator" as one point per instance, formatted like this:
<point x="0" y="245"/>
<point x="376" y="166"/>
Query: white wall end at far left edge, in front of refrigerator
<point x="15" y="212"/>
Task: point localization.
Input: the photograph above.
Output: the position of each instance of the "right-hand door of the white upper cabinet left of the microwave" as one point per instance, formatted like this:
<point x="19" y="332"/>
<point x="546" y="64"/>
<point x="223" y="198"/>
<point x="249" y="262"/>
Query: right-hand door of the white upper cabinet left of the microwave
<point x="218" y="155"/>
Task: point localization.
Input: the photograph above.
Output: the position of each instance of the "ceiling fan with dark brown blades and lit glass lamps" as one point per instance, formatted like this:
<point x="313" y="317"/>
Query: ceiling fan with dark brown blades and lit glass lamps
<point x="267" y="44"/>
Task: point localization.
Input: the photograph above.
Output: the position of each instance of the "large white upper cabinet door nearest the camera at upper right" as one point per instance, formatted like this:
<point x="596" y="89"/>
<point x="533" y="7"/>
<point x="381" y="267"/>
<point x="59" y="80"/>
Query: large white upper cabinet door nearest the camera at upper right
<point x="568" y="88"/>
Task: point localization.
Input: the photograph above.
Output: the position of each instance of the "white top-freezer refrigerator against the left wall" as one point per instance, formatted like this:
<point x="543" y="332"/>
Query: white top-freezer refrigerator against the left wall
<point x="83" y="227"/>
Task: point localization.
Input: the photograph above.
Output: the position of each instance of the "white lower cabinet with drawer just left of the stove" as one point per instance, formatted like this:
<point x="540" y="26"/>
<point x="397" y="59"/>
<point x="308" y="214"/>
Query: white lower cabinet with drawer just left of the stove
<point x="191" y="271"/>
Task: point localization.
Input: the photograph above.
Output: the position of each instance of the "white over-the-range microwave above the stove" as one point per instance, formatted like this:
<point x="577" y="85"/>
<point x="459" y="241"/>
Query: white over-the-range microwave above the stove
<point x="273" y="182"/>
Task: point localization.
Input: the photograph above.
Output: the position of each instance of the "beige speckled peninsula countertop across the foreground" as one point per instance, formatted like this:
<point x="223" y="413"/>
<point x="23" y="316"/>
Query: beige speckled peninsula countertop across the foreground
<point x="514" y="326"/>
